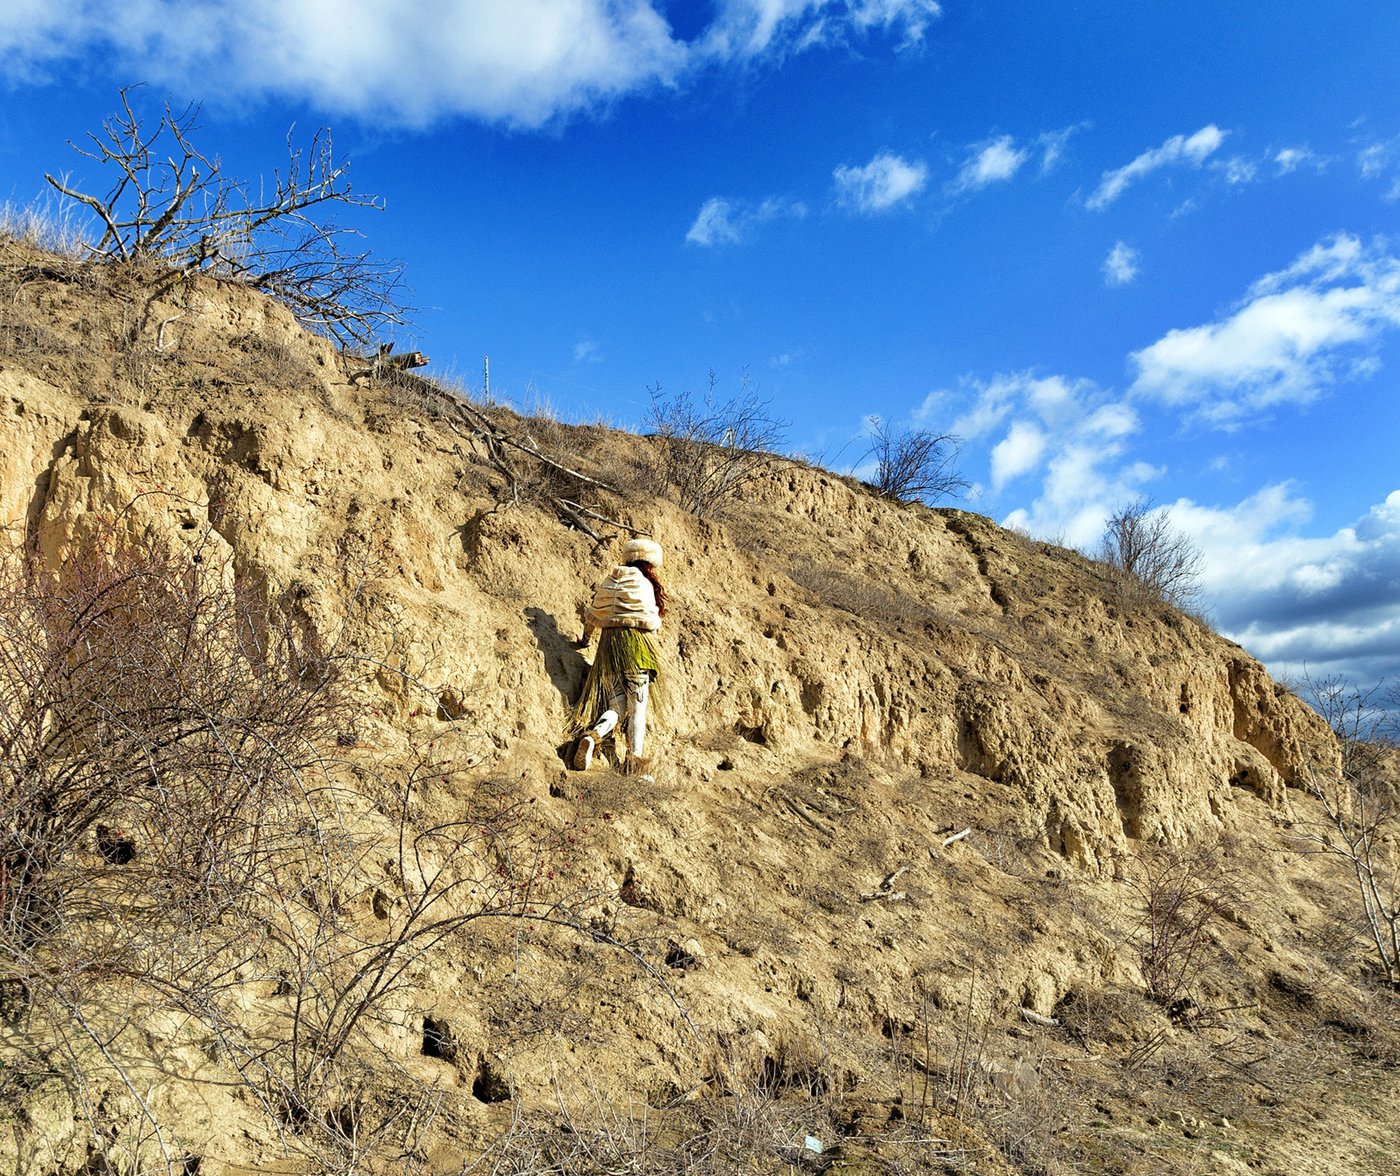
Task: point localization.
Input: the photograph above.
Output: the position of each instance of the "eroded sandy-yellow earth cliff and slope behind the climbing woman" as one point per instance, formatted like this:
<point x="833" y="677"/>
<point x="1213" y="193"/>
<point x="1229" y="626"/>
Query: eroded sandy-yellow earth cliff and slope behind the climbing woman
<point x="852" y="684"/>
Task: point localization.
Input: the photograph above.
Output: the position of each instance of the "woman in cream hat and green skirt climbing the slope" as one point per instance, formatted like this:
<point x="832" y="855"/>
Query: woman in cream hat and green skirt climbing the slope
<point x="628" y="608"/>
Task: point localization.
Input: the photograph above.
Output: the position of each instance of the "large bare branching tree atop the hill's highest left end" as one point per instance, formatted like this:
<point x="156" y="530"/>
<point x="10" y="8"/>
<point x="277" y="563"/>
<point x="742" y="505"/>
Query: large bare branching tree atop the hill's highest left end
<point x="173" y="205"/>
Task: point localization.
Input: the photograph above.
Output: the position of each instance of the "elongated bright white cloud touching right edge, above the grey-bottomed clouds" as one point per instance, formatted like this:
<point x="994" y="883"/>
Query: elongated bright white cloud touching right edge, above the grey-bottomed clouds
<point x="1296" y="334"/>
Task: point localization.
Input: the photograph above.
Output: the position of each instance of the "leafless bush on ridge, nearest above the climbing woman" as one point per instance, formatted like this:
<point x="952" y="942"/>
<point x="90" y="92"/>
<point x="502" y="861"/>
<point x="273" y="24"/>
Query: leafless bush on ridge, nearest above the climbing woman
<point x="709" y="451"/>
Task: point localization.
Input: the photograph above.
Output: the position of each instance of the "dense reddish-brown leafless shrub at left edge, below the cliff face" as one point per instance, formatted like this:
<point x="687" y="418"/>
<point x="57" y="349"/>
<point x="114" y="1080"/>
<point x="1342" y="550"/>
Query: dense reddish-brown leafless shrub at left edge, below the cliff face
<point x="160" y="741"/>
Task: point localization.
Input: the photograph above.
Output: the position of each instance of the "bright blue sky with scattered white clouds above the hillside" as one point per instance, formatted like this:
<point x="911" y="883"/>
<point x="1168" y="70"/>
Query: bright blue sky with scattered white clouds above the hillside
<point x="1121" y="250"/>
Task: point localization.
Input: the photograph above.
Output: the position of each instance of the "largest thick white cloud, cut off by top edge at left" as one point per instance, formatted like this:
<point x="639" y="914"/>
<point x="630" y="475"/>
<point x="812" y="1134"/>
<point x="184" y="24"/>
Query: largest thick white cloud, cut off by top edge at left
<point x="517" y="62"/>
